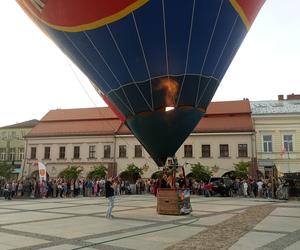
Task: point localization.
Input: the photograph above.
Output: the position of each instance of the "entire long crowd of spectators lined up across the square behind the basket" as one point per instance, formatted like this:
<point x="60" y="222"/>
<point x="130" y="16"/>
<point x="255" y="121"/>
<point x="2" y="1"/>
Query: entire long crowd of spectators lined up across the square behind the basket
<point x="60" y="188"/>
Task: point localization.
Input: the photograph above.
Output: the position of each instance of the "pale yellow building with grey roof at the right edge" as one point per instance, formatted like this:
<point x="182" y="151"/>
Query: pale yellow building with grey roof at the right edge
<point x="277" y="126"/>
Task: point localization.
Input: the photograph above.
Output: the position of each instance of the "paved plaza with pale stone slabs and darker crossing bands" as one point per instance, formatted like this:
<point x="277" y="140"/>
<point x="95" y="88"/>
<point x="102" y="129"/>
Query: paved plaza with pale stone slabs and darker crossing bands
<point x="215" y="223"/>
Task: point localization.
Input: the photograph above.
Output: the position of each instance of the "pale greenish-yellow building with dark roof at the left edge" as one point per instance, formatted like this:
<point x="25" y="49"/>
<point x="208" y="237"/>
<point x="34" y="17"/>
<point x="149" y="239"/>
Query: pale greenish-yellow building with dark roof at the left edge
<point x="12" y="143"/>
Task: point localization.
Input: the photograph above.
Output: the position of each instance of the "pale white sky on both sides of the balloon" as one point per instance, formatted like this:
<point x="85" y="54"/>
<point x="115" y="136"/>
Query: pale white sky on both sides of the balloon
<point x="36" y="77"/>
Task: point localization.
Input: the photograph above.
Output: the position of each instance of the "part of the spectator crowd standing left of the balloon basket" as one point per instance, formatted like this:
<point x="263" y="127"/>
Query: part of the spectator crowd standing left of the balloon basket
<point x="60" y="188"/>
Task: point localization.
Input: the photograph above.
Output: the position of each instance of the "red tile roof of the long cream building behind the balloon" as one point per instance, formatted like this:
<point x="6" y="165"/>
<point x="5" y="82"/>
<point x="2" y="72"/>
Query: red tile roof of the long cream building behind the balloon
<point x="231" y="116"/>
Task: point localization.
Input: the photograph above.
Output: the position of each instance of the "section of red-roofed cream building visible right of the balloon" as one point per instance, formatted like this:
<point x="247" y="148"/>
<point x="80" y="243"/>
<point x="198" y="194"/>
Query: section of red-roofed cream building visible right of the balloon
<point x="224" y="137"/>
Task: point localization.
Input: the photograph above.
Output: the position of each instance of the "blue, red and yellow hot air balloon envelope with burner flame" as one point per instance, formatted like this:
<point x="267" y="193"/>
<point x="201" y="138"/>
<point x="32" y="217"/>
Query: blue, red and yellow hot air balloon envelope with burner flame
<point x="157" y="63"/>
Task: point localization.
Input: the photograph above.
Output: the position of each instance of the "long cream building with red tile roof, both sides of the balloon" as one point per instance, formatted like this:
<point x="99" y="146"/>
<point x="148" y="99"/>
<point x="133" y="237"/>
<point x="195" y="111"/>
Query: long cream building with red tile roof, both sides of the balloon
<point x="95" y="136"/>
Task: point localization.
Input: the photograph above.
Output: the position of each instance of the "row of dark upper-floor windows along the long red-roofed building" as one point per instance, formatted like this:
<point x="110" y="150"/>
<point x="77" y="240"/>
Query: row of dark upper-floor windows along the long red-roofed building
<point x="138" y="152"/>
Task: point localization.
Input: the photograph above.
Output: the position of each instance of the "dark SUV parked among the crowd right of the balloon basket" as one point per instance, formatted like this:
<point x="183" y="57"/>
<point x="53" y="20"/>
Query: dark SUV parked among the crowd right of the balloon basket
<point x="222" y="186"/>
